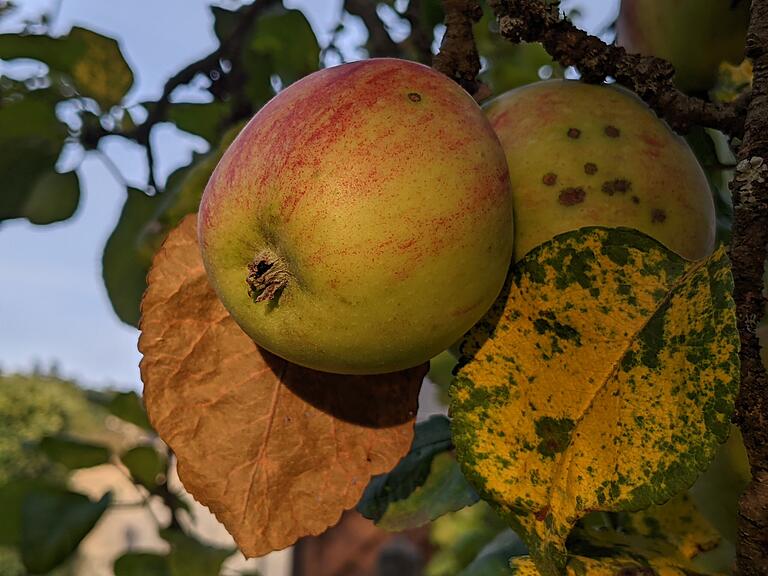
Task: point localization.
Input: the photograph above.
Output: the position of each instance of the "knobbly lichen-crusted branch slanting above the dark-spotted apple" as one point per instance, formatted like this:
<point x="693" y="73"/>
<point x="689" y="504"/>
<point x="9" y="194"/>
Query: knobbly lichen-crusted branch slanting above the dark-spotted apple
<point x="649" y="77"/>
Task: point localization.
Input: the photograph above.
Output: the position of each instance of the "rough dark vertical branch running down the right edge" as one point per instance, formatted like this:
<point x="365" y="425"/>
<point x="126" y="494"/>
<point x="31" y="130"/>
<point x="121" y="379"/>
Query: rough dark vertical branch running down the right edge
<point x="748" y="254"/>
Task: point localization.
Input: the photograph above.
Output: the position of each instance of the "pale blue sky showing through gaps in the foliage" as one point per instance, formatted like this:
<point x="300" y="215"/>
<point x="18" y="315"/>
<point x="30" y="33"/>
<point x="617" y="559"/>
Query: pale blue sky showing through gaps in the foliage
<point x="54" y="309"/>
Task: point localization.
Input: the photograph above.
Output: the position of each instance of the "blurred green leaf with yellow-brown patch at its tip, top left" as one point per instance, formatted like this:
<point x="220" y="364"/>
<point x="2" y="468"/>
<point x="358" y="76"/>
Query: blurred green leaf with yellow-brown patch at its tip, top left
<point x="92" y="61"/>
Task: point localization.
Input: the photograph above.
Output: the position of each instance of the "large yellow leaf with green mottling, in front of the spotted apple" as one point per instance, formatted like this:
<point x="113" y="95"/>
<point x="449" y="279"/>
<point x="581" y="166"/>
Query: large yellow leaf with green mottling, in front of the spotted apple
<point x="602" y="379"/>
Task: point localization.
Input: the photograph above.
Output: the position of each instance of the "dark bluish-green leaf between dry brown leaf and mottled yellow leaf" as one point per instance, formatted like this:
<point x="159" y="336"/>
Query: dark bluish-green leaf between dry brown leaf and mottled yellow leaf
<point x="431" y="437"/>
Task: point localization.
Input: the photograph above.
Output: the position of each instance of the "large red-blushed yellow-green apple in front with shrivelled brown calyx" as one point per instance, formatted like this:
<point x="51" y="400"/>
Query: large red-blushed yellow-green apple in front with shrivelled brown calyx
<point x="372" y="201"/>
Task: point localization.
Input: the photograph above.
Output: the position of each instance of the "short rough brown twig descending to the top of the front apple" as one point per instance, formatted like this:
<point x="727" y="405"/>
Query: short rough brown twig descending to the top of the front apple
<point x="458" y="57"/>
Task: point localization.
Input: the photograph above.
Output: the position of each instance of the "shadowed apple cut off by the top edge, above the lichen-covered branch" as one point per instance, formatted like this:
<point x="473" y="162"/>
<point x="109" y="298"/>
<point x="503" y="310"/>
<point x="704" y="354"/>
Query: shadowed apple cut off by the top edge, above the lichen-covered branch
<point x="695" y="36"/>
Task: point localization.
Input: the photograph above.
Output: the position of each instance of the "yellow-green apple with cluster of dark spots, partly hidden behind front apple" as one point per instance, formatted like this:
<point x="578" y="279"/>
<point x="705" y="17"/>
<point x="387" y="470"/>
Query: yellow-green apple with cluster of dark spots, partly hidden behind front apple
<point x="586" y="155"/>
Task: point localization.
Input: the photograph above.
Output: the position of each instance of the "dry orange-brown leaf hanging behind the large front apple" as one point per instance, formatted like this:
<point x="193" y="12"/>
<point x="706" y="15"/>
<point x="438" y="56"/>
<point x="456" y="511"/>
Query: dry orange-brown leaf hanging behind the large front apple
<point x="275" y="450"/>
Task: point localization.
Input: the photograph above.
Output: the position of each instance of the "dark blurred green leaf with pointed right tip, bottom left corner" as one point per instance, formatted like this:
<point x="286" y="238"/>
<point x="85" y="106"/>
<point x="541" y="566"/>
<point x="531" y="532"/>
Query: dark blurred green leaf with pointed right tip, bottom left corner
<point x="53" y="523"/>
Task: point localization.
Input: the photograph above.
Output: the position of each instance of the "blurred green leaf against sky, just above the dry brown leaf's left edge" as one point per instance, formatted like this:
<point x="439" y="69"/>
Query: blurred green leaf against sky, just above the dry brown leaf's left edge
<point x="124" y="266"/>
